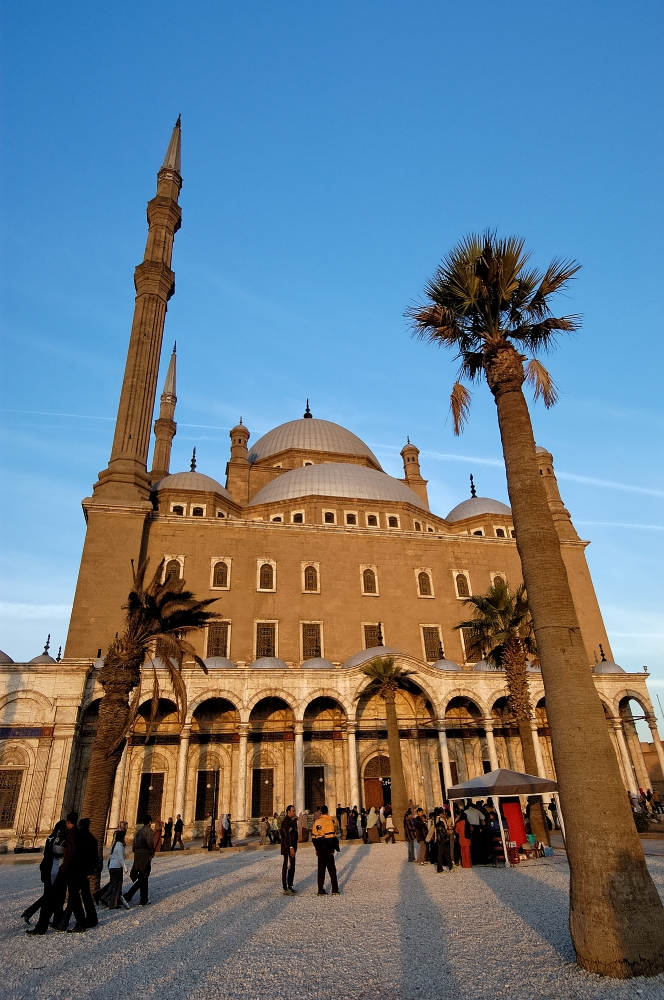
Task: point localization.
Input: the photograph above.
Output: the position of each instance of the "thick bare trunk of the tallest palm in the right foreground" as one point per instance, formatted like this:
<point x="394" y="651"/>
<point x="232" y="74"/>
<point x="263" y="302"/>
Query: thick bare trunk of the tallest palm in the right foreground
<point x="616" y="915"/>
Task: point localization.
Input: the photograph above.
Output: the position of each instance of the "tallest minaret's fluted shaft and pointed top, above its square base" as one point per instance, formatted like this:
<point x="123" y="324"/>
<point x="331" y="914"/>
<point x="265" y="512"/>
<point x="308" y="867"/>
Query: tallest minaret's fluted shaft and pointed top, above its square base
<point x="126" y="480"/>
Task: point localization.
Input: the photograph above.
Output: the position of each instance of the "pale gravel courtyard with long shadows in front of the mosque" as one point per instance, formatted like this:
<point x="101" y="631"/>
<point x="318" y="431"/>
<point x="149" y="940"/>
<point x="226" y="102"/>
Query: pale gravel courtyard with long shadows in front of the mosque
<point x="219" y="927"/>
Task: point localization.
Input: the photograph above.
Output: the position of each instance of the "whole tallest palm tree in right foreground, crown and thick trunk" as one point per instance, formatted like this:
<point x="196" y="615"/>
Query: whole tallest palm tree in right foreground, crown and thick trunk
<point x="490" y="305"/>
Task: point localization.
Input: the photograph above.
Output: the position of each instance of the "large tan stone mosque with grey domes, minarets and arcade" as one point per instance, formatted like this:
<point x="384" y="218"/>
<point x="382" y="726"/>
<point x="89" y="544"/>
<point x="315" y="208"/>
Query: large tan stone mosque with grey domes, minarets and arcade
<point x="319" y="561"/>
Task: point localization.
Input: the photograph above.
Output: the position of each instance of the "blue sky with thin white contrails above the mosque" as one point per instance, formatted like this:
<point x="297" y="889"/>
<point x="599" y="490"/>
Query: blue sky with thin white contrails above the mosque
<point x="331" y="155"/>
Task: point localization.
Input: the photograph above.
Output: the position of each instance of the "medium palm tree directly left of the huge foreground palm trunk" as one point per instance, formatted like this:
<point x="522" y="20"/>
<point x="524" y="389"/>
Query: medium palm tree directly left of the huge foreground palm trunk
<point x="502" y="632"/>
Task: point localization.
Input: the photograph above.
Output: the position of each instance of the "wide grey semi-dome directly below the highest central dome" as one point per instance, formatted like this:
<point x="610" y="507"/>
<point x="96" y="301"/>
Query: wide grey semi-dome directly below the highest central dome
<point x="336" y="479"/>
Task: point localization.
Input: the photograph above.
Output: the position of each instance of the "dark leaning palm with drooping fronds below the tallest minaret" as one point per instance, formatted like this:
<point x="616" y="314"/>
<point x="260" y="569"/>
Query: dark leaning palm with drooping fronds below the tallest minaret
<point x="159" y="617"/>
